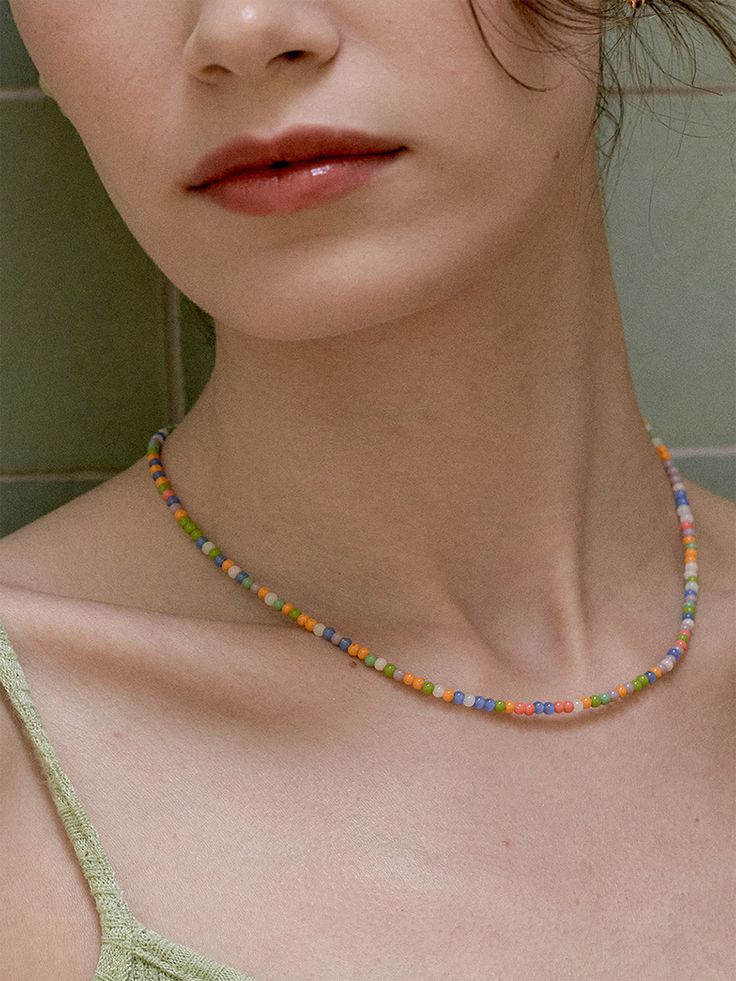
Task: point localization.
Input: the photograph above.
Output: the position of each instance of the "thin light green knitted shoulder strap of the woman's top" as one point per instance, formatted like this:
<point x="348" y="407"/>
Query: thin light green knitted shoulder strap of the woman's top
<point x="115" y="917"/>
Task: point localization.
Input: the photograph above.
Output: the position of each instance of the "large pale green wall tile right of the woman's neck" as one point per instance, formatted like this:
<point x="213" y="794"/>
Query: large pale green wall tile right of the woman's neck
<point x="672" y="238"/>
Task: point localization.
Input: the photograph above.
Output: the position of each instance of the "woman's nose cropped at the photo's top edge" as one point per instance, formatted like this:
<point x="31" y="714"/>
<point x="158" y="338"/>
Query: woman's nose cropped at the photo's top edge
<point x="255" y="40"/>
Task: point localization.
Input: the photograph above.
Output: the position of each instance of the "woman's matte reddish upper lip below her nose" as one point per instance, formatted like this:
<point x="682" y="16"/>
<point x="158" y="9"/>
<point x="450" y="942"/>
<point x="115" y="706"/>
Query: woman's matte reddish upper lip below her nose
<point x="299" y="143"/>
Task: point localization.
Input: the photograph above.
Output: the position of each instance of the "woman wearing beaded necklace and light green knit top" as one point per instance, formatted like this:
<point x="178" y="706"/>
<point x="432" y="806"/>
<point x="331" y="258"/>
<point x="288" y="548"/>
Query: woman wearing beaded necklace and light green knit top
<point x="421" y="429"/>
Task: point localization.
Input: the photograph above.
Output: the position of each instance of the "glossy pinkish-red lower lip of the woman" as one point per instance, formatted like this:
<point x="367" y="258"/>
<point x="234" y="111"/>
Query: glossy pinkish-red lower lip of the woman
<point x="274" y="191"/>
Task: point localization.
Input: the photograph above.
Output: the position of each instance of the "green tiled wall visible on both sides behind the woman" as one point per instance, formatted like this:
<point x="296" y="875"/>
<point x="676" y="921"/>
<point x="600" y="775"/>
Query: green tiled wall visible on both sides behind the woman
<point x="86" y="318"/>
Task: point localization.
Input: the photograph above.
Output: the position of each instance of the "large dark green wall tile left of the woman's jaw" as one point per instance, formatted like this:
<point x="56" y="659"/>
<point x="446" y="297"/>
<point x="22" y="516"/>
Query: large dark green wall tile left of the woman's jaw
<point x="82" y="317"/>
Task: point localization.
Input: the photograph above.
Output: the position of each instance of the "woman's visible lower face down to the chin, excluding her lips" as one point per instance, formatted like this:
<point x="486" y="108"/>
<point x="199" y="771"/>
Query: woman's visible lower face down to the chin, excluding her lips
<point x="153" y="85"/>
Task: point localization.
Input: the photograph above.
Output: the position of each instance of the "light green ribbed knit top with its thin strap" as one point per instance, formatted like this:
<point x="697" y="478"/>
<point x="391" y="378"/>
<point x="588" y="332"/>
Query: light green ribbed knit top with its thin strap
<point x="129" y="951"/>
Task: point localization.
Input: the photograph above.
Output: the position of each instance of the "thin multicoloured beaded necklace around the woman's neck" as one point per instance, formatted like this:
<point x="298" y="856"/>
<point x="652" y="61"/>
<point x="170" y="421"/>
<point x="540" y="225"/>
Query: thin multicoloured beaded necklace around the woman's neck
<point x="505" y="707"/>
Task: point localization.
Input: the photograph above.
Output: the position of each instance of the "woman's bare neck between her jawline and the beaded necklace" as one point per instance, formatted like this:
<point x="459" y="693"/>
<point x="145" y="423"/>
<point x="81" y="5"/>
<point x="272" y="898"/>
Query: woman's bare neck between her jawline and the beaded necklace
<point x="477" y="470"/>
